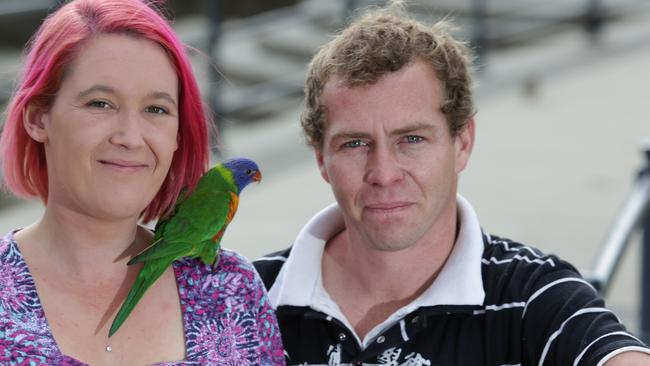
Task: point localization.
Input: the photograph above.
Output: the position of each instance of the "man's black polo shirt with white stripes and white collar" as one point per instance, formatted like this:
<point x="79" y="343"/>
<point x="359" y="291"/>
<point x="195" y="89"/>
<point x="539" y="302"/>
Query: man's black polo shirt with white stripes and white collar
<point x="496" y="302"/>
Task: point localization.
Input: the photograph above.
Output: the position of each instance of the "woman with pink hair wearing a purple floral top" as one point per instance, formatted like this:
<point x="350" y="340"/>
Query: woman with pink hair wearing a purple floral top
<point x="106" y="126"/>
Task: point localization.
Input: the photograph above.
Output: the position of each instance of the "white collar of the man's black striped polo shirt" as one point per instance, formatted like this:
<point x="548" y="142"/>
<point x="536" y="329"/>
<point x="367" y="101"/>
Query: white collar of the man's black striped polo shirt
<point x="458" y="283"/>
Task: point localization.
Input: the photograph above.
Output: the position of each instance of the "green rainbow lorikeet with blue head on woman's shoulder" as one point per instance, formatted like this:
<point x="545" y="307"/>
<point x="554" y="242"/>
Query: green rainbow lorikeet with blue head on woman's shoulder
<point x="193" y="229"/>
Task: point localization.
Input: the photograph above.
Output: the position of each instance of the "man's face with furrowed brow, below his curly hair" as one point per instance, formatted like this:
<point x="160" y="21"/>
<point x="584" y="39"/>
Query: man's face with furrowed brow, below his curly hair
<point x="390" y="159"/>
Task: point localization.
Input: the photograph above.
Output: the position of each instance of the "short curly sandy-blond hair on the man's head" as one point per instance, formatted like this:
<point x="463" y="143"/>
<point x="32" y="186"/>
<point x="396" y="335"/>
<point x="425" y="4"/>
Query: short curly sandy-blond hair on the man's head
<point x="382" y="41"/>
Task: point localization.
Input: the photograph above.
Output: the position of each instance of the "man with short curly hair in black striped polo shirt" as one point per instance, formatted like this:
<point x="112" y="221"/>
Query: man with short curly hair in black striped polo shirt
<point x="399" y="271"/>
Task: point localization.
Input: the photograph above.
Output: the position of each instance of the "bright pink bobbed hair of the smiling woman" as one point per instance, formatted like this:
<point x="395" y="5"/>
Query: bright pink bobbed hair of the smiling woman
<point x="51" y="51"/>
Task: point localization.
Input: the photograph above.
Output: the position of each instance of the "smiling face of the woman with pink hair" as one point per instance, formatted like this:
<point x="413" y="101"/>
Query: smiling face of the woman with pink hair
<point x="111" y="132"/>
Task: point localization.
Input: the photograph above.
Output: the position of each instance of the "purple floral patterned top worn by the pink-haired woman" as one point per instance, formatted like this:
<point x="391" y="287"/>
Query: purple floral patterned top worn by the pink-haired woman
<point x="227" y="317"/>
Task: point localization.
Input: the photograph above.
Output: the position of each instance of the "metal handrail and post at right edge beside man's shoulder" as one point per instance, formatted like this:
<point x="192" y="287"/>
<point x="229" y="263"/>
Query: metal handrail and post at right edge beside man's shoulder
<point x="633" y="218"/>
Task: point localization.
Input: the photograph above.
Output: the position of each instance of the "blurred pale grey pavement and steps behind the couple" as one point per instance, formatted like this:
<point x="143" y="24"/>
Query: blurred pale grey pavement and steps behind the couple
<point x="562" y="113"/>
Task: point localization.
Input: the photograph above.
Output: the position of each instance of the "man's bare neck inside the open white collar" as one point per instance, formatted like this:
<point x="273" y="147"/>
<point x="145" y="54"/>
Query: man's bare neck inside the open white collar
<point x="369" y="285"/>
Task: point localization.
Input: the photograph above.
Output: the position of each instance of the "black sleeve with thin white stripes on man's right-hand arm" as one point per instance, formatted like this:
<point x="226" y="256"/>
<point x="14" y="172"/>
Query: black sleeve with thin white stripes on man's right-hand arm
<point x="566" y="322"/>
